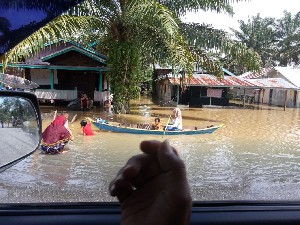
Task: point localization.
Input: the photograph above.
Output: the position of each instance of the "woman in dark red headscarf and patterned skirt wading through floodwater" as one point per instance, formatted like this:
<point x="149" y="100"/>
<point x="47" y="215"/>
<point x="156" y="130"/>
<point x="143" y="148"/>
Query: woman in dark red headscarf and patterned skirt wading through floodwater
<point x="56" y="135"/>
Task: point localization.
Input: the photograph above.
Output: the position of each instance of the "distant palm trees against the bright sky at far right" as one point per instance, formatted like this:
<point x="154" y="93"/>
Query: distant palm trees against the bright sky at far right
<point x="277" y="42"/>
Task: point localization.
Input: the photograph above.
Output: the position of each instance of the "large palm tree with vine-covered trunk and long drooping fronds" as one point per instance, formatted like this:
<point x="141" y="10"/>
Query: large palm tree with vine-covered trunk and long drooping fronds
<point x="135" y="34"/>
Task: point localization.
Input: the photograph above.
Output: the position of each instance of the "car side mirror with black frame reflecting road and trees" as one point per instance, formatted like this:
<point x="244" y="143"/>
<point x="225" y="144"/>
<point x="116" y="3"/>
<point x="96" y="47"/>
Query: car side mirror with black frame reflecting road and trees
<point x="20" y="127"/>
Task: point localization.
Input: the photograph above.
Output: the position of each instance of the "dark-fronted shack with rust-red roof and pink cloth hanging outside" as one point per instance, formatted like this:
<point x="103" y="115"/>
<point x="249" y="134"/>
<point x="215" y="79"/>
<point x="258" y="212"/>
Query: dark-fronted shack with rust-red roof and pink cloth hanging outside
<point x="198" y="90"/>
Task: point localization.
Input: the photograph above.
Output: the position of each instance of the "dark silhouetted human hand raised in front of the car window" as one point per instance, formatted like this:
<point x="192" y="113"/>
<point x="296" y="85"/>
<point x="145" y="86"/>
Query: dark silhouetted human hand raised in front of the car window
<point x="152" y="187"/>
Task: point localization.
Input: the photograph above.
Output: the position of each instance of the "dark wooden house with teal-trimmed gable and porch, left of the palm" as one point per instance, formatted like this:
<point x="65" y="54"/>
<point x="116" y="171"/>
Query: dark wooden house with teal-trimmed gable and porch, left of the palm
<point x="63" y="70"/>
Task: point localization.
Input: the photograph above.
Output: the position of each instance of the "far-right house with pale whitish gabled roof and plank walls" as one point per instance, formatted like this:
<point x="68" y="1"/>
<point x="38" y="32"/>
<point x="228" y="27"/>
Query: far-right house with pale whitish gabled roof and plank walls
<point x="286" y="95"/>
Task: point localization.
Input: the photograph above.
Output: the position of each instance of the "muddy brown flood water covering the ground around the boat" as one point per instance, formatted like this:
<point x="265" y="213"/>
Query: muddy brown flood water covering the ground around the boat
<point x="255" y="156"/>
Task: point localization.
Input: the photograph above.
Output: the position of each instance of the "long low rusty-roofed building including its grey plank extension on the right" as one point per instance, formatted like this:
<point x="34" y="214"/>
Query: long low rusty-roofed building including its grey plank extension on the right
<point x="205" y="89"/>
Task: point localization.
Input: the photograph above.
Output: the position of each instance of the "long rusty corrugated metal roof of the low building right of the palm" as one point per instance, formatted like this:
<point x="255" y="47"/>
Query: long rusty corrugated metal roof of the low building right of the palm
<point x="230" y="81"/>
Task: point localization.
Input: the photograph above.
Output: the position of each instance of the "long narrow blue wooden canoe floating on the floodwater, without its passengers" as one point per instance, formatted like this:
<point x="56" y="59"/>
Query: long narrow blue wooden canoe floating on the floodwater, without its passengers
<point x="123" y="129"/>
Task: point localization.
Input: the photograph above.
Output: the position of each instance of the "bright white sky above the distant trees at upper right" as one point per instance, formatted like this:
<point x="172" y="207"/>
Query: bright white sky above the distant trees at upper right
<point x="243" y="11"/>
